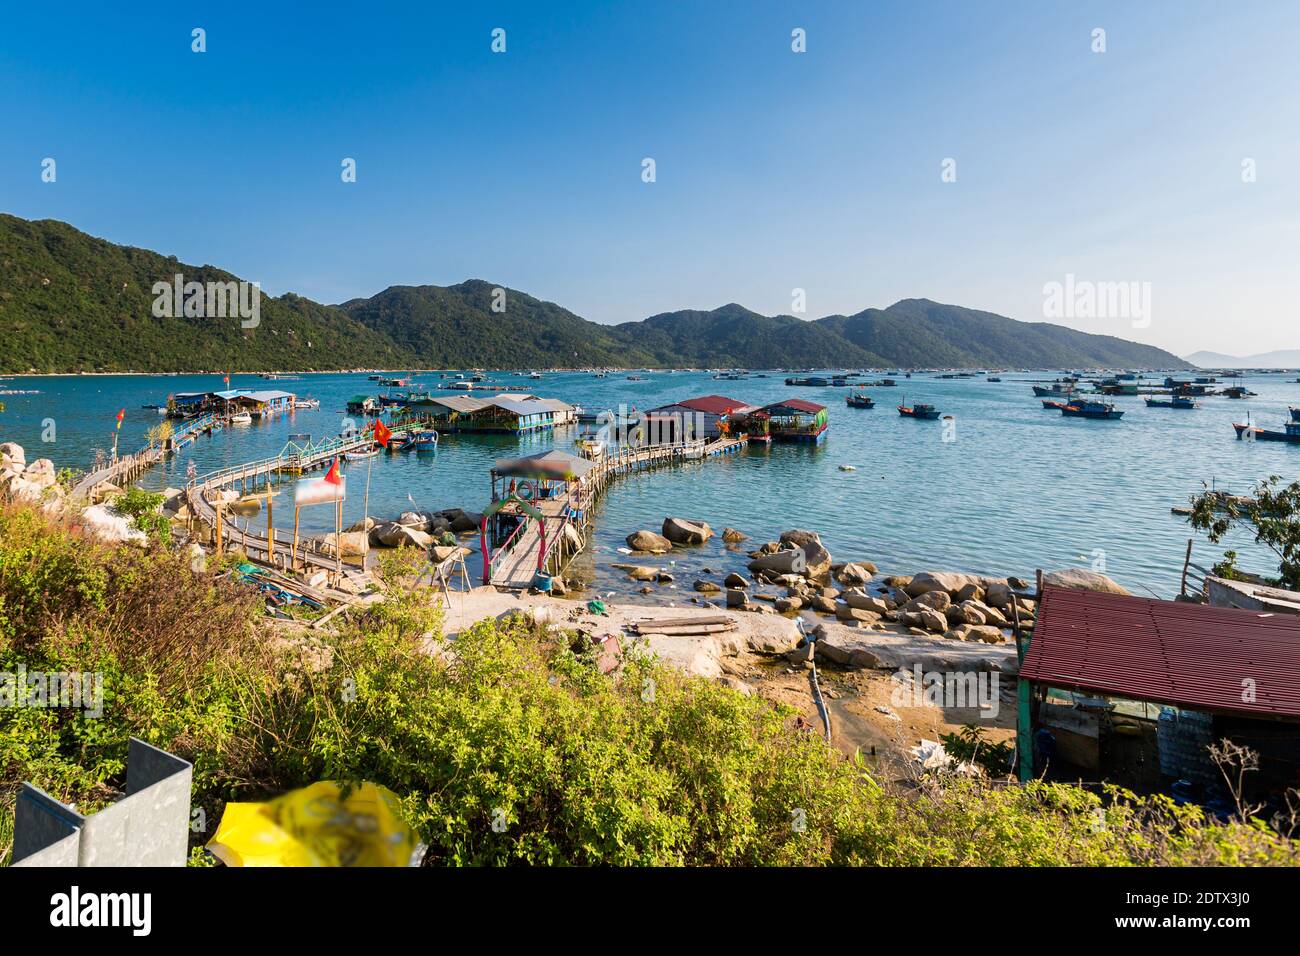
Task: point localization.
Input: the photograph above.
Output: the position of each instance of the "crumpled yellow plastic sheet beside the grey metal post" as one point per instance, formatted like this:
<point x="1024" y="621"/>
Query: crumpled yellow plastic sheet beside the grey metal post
<point x="317" y="827"/>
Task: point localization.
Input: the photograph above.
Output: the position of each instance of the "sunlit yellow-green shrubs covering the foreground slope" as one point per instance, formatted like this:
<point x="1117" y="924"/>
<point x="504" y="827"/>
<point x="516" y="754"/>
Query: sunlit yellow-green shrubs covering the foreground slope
<point x="508" y="723"/>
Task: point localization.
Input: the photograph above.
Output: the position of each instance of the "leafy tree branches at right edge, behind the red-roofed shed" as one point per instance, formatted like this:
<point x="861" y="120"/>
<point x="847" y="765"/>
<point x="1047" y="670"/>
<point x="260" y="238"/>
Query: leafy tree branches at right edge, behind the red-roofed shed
<point x="1271" y="513"/>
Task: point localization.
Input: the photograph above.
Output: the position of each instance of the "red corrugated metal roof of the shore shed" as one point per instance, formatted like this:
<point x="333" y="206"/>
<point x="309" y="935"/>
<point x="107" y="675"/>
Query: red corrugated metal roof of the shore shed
<point x="1168" y="652"/>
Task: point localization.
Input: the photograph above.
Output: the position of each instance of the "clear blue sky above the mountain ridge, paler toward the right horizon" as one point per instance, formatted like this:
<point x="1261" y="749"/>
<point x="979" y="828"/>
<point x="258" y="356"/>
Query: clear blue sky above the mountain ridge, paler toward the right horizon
<point x="775" y="171"/>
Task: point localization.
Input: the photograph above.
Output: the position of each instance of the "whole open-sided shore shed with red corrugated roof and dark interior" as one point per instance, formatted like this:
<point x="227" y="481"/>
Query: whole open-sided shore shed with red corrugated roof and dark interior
<point x="1124" y="687"/>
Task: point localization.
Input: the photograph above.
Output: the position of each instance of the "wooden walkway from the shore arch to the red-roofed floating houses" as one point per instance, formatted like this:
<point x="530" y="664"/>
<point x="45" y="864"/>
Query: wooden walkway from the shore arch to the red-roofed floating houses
<point x="567" y="520"/>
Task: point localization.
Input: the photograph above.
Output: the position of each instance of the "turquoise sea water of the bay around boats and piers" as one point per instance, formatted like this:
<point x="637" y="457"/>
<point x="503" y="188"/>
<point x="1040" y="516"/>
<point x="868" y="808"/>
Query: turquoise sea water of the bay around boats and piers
<point x="1017" y="490"/>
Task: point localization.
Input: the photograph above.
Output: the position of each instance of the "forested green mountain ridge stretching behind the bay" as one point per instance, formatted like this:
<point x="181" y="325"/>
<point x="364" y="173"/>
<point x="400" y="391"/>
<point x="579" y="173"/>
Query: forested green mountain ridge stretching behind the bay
<point x="72" y="302"/>
